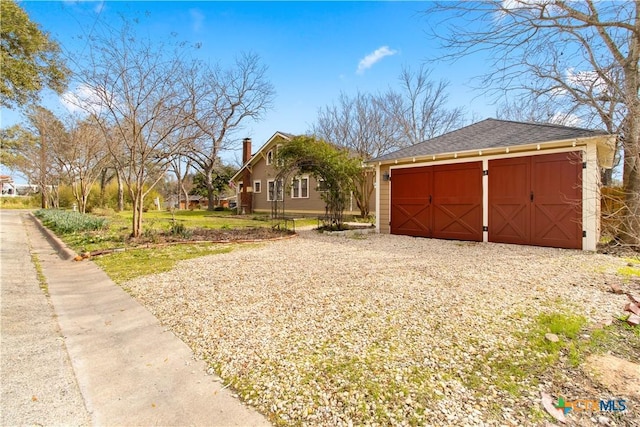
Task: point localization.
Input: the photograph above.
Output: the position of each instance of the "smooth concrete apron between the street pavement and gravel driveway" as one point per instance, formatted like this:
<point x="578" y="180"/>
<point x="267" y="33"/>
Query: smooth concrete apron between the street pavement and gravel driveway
<point x="130" y="370"/>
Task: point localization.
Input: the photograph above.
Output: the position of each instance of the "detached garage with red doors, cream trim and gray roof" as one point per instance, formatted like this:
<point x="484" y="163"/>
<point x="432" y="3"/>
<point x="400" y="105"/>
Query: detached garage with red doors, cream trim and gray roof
<point x="497" y="181"/>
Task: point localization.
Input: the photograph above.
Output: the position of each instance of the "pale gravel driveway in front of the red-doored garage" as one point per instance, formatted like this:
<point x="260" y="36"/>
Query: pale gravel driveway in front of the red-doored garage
<point x="380" y="329"/>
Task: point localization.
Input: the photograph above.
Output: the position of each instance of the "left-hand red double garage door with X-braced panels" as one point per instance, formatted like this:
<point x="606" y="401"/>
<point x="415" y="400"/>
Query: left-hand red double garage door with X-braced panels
<point x="438" y="201"/>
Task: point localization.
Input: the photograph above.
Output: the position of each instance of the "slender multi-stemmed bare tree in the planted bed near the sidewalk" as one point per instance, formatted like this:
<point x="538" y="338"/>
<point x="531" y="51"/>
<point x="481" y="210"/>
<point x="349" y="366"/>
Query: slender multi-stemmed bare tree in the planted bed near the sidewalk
<point x="135" y="96"/>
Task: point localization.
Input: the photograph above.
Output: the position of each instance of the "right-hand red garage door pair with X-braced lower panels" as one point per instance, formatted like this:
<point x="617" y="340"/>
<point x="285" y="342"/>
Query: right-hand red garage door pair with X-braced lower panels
<point x="536" y="200"/>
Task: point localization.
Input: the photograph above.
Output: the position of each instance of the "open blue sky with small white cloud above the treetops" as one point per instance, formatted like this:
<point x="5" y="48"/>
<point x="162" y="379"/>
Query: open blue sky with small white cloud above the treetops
<point x="314" y="50"/>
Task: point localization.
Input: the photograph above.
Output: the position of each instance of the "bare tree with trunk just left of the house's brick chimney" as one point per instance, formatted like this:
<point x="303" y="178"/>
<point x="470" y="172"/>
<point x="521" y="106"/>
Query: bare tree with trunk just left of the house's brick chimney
<point x="221" y="101"/>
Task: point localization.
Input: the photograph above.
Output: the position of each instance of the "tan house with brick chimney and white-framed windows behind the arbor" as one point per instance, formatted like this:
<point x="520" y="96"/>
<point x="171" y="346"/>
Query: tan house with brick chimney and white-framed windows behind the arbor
<point x="260" y="189"/>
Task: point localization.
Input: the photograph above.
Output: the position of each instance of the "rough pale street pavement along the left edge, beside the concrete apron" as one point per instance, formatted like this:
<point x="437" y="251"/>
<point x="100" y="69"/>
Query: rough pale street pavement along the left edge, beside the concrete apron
<point x="37" y="382"/>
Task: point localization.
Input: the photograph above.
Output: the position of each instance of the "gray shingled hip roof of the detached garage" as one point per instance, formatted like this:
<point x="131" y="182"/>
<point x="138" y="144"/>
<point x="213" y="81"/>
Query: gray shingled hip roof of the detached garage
<point x="490" y="133"/>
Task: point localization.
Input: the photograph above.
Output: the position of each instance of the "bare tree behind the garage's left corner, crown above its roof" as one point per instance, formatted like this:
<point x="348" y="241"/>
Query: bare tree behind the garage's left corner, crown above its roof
<point x="373" y="125"/>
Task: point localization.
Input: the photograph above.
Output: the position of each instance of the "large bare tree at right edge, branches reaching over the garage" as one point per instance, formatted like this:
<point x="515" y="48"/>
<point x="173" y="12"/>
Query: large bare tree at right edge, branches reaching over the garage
<point x="586" y="51"/>
